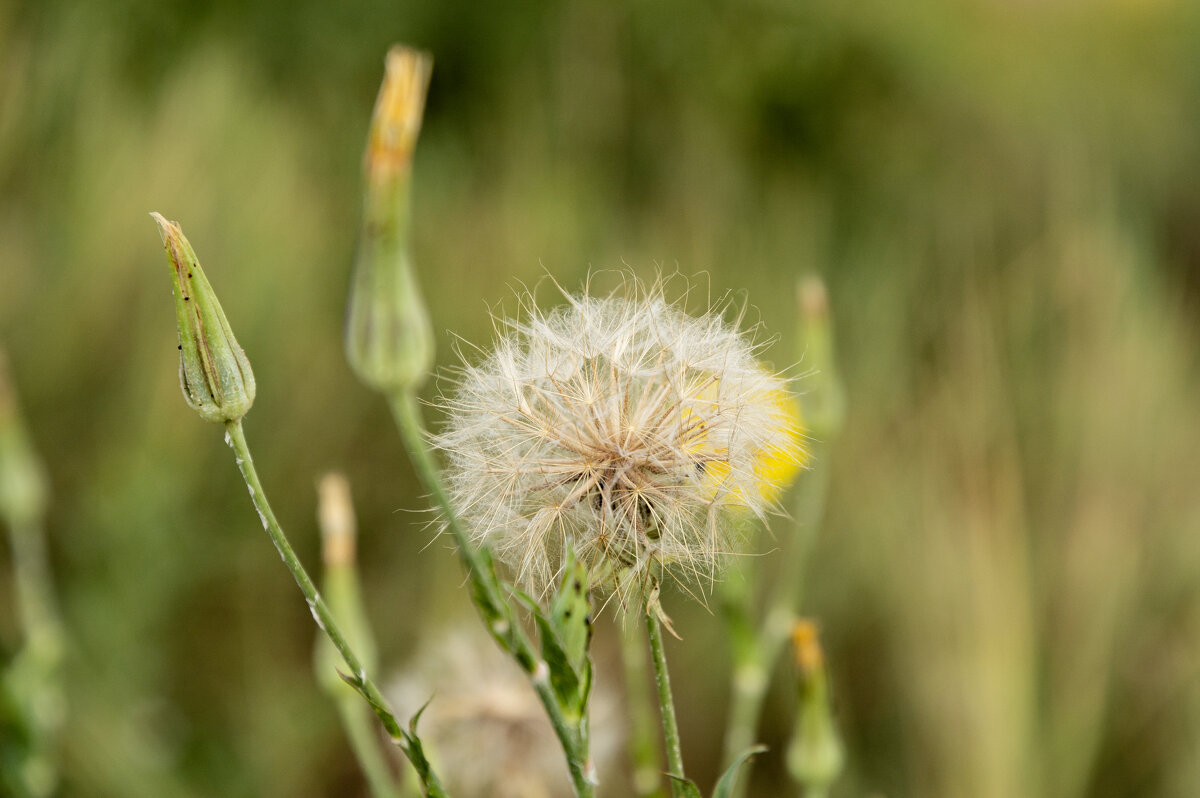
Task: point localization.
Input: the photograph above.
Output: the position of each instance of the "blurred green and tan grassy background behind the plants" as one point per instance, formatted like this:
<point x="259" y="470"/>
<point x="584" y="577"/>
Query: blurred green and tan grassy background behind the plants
<point x="1003" y="197"/>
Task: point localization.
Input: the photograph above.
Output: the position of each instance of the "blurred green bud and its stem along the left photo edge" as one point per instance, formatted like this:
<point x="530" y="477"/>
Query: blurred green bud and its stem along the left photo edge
<point x="33" y="681"/>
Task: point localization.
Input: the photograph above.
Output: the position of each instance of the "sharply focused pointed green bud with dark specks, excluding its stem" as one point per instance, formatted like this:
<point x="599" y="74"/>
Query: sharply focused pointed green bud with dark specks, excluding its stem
<point x="213" y="369"/>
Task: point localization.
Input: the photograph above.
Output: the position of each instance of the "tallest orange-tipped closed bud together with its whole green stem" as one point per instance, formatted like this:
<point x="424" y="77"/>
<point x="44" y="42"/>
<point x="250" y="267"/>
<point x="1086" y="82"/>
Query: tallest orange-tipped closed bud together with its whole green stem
<point x="389" y="345"/>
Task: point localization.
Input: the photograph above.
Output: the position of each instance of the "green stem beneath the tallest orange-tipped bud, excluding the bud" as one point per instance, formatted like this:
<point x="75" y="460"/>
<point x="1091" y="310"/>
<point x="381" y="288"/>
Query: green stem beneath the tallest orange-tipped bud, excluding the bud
<point x="489" y="598"/>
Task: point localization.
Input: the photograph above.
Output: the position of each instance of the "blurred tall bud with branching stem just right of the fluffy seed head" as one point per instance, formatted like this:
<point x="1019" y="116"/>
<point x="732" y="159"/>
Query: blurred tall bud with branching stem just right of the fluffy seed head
<point x="757" y="644"/>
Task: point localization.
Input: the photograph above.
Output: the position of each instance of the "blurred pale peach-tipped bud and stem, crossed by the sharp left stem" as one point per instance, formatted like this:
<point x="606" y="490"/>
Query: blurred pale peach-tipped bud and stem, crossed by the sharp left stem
<point x="335" y="514"/>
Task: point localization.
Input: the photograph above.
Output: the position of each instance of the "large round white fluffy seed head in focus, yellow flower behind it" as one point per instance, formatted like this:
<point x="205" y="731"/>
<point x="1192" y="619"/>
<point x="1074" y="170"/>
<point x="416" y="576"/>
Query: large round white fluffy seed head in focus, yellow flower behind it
<point x="620" y="427"/>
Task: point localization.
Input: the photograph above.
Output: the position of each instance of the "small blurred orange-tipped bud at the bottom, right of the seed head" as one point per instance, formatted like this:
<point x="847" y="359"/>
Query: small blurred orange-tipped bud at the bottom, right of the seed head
<point x="815" y="757"/>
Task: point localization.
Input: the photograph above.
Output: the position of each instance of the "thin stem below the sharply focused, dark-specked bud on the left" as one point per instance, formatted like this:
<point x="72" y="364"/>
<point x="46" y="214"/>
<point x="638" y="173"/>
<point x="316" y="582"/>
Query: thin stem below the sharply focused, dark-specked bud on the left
<point x="321" y="614"/>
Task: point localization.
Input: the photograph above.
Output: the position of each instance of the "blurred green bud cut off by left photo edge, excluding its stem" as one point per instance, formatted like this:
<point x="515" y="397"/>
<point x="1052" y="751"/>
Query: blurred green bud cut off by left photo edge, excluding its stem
<point x="23" y="484"/>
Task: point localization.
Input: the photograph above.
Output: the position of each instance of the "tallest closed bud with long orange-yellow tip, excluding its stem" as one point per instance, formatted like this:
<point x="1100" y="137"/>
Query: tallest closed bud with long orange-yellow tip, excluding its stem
<point x="389" y="340"/>
